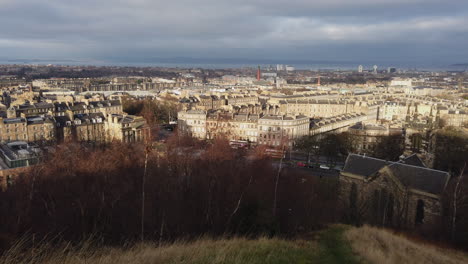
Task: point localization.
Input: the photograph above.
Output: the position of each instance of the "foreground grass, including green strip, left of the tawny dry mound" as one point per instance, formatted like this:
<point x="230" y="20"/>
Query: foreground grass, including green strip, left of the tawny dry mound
<point x="328" y="246"/>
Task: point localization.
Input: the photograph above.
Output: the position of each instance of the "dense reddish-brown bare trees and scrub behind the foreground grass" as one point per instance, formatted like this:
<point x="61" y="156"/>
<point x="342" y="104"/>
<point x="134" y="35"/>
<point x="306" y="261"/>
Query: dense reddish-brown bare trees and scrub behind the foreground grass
<point x="191" y="189"/>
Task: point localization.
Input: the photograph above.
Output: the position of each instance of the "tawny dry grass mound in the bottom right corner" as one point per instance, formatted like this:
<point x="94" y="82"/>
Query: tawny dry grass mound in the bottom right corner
<point x="381" y="246"/>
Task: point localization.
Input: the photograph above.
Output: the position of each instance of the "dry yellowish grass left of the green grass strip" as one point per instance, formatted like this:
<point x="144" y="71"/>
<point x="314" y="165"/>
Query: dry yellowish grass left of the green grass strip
<point x="236" y="250"/>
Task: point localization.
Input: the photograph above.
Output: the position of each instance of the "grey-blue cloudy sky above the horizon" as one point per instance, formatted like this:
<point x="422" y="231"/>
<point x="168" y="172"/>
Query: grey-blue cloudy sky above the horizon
<point x="336" y="30"/>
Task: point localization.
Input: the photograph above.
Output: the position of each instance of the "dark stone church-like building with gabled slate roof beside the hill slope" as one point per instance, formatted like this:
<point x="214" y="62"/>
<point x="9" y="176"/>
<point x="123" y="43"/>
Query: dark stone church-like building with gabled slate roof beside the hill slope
<point x="404" y="193"/>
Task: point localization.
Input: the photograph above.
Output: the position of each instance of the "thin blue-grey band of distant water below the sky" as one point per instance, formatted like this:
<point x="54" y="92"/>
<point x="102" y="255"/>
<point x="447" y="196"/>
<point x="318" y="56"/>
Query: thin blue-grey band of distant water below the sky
<point x="251" y="63"/>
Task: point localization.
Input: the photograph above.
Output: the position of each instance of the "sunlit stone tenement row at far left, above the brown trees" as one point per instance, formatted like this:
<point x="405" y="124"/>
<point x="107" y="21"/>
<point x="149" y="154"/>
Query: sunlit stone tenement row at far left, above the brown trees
<point x="90" y="127"/>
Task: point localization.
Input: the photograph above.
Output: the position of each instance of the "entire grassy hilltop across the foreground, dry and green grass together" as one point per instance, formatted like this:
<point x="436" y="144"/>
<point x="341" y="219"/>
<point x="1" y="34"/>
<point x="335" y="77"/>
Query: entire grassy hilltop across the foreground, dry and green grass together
<point x="368" y="245"/>
